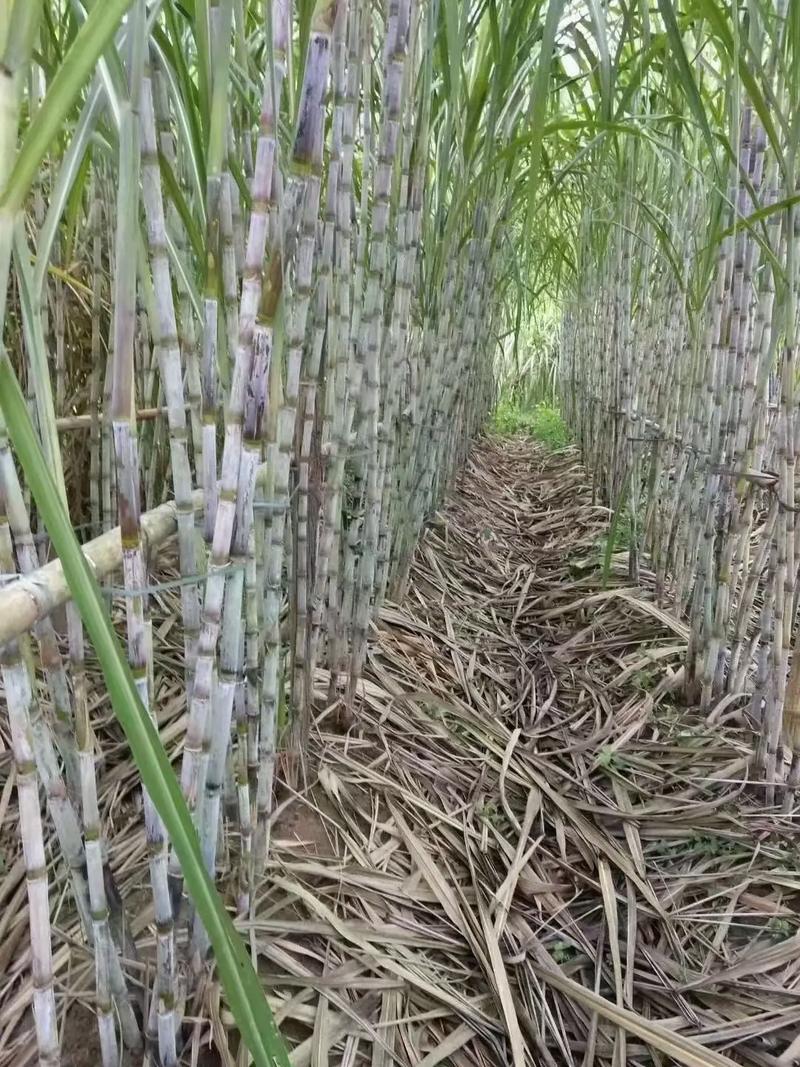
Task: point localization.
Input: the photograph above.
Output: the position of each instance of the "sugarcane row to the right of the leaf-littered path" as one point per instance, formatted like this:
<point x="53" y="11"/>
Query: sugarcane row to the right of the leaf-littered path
<point x="679" y="346"/>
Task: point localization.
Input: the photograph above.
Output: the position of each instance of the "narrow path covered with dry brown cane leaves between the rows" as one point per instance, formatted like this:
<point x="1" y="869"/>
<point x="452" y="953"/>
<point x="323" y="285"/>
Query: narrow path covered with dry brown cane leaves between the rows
<point x="523" y="834"/>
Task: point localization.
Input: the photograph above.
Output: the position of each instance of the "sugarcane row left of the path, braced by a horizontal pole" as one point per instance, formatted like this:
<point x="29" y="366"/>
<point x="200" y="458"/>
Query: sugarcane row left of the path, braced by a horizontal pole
<point x="258" y="264"/>
